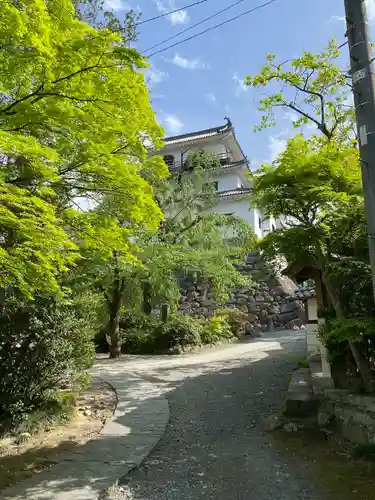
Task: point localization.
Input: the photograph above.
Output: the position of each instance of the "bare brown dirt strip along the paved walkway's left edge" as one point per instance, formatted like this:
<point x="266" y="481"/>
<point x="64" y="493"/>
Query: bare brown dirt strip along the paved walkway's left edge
<point x="46" y="448"/>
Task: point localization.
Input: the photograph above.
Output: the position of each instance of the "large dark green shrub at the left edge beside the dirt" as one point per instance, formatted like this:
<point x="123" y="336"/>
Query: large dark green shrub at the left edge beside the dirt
<point x="41" y="342"/>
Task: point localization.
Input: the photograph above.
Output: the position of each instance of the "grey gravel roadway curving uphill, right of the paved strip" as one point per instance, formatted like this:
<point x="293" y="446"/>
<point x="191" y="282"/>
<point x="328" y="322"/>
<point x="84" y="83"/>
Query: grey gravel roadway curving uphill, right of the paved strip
<point x="214" y="446"/>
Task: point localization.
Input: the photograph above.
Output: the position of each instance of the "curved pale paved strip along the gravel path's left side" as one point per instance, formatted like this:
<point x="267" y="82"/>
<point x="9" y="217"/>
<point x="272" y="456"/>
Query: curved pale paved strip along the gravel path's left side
<point x="138" y="424"/>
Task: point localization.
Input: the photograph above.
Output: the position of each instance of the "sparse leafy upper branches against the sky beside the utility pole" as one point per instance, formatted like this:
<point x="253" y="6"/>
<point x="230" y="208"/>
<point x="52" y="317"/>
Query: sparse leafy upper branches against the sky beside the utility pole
<point x="314" y="87"/>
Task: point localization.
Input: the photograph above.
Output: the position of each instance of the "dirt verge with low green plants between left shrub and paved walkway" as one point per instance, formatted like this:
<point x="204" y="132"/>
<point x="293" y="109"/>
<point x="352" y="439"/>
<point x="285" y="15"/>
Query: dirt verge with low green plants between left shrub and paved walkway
<point x="55" y="431"/>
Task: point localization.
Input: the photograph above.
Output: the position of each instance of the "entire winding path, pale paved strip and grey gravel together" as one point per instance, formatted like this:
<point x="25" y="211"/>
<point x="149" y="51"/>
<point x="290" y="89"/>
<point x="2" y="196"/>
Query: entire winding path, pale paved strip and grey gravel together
<point x="214" y="446"/>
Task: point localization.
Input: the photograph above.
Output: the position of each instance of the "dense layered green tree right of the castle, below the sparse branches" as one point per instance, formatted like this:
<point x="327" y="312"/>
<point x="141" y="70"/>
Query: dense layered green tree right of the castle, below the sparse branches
<point x="316" y="186"/>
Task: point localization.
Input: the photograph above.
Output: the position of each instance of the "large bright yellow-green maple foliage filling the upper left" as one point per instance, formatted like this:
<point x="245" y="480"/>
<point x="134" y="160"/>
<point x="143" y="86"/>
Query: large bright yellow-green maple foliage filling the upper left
<point x="75" y="120"/>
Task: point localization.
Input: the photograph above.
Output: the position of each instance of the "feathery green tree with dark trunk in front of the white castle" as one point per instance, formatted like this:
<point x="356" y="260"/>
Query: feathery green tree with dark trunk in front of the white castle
<point x="189" y="240"/>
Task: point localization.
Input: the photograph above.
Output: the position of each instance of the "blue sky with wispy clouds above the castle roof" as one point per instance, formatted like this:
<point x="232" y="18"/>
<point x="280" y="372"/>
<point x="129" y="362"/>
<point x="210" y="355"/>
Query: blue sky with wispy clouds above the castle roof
<point x="195" y="85"/>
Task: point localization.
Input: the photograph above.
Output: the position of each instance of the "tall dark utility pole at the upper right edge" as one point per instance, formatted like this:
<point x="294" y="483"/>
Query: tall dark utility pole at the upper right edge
<point x="362" y="71"/>
